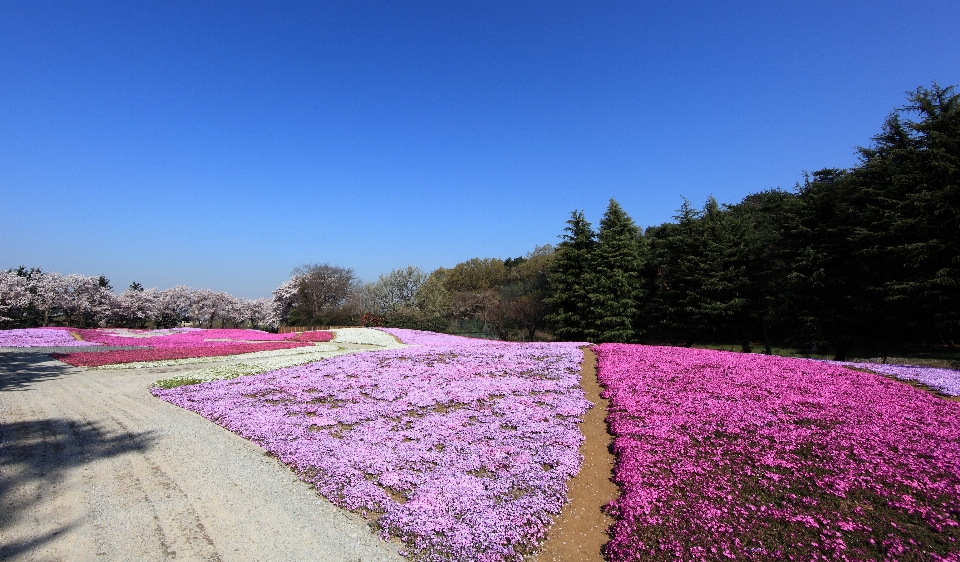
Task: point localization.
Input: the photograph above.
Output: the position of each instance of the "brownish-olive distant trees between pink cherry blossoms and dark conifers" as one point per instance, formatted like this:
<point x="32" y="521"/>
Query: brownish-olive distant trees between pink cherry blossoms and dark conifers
<point x="489" y="296"/>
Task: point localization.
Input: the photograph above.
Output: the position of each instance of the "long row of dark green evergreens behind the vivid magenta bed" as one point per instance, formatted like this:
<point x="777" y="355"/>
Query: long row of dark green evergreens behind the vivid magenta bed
<point x="867" y="257"/>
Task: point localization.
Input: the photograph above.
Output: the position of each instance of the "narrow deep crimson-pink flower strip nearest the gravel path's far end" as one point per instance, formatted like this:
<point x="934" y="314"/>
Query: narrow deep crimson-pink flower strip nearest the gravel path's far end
<point x="161" y="353"/>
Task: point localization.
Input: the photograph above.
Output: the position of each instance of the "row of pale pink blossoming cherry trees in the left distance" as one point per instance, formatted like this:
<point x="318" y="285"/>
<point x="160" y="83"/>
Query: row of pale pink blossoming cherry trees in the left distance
<point x="31" y="297"/>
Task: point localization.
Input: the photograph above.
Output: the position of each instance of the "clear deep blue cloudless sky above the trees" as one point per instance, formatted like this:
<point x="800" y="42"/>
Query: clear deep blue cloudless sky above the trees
<point x="220" y="144"/>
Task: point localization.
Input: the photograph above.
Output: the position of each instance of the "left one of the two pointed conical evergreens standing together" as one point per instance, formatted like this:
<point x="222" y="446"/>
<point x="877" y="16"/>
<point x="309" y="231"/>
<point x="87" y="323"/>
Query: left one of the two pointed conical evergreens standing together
<point x="570" y="280"/>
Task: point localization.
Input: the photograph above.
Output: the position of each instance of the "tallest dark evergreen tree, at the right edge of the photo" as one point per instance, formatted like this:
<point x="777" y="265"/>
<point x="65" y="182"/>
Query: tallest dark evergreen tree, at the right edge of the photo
<point x="909" y="181"/>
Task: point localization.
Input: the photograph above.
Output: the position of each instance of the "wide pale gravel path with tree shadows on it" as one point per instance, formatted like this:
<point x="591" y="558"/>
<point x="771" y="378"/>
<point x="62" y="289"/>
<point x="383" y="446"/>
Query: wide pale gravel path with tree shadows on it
<point x="92" y="467"/>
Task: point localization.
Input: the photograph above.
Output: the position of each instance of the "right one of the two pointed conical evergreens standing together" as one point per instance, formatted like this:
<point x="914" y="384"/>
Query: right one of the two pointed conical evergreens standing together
<point x="617" y="292"/>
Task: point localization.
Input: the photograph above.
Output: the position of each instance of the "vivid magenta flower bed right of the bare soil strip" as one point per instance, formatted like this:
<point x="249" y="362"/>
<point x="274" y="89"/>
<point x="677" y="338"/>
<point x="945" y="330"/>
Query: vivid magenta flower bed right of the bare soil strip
<point x="728" y="455"/>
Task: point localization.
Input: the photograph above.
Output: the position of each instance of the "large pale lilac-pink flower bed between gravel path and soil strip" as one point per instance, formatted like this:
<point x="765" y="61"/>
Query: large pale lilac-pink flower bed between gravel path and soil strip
<point x="461" y="448"/>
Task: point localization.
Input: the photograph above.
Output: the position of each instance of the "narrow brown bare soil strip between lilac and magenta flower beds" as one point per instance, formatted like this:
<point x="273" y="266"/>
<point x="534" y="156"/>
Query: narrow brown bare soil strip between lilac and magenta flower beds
<point x="580" y="531"/>
